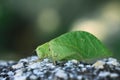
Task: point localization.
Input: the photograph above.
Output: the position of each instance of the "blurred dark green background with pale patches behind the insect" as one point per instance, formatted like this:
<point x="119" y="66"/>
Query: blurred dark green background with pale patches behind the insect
<point x="25" y="24"/>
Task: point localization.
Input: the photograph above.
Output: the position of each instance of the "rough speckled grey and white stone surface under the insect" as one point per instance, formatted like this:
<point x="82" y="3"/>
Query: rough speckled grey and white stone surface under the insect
<point x="31" y="68"/>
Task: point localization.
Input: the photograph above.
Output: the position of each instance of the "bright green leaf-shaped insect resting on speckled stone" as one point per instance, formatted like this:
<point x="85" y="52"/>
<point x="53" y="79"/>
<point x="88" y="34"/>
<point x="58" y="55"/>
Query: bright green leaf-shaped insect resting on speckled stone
<point x="79" y="45"/>
